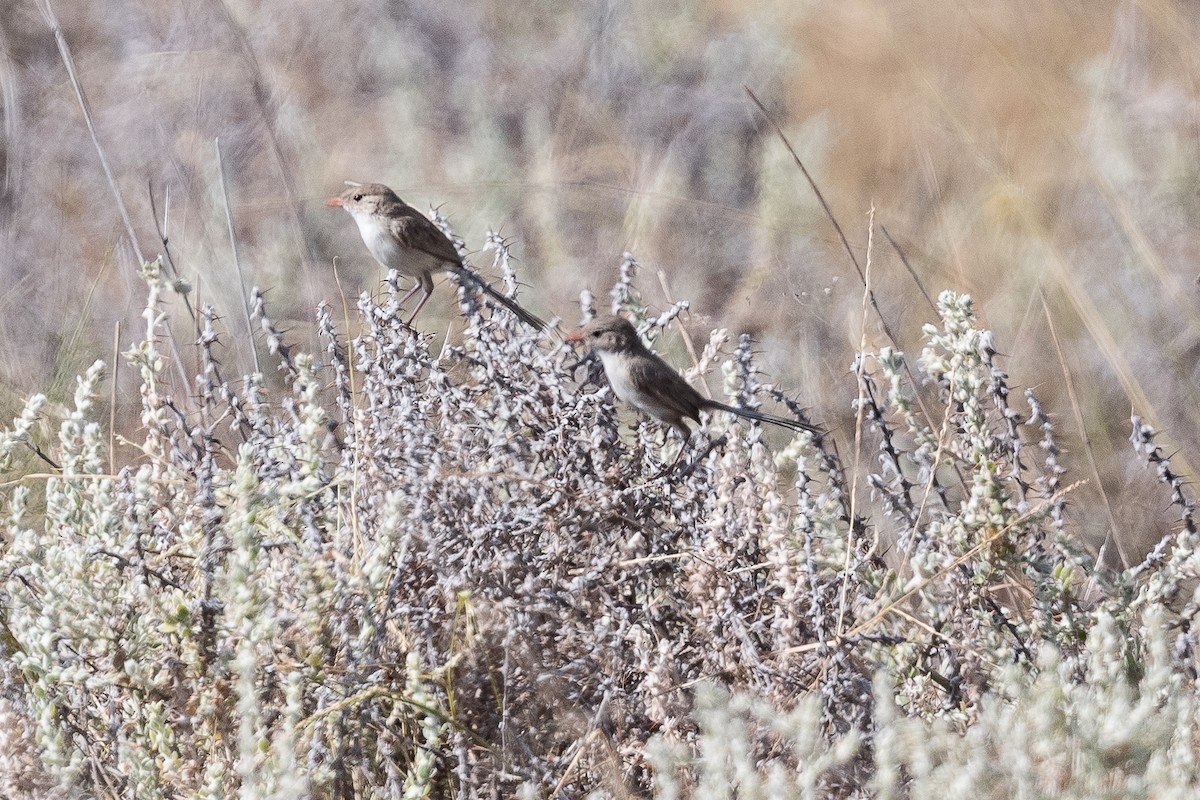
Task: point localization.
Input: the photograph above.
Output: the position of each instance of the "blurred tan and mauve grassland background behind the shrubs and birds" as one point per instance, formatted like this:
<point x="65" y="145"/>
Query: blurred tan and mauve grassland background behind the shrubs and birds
<point x="1040" y="155"/>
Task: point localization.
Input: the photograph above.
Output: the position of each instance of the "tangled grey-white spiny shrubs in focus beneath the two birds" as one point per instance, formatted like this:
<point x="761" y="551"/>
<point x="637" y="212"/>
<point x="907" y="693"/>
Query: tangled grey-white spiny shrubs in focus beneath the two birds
<point x="461" y="574"/>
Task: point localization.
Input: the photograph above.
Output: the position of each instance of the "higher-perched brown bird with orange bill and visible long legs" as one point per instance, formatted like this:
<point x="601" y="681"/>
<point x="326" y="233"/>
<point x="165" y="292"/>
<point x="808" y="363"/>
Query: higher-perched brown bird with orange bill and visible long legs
<point x="403" y="239"/>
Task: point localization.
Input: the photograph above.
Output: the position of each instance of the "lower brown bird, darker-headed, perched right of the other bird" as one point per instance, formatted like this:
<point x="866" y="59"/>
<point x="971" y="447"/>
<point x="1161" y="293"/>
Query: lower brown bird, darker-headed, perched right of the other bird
<point x="649" y="383"/>
